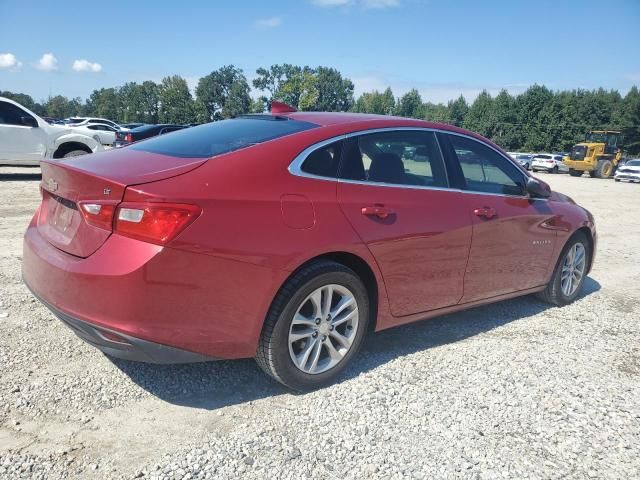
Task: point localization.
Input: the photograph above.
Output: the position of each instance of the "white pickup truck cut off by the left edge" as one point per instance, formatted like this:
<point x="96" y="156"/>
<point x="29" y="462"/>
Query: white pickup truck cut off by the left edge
<point x="25" y="138"/>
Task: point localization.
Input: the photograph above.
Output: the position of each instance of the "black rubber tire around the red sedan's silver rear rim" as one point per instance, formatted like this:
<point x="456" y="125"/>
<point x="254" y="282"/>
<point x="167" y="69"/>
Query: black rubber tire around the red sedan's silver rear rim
<point x="273" y="349"/>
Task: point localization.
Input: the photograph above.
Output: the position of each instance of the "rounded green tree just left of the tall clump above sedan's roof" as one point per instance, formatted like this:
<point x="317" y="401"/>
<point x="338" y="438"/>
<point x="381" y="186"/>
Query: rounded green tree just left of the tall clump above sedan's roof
<point x="224" y="93"/>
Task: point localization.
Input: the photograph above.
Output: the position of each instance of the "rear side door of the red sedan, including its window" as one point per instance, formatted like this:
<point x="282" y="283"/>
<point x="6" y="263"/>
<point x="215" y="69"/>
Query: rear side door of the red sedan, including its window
<point x="393" y="189"/>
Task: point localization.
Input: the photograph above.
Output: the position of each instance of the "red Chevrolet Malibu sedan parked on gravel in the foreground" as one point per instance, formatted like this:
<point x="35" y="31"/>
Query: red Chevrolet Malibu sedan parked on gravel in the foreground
<point x="286" y="236"/>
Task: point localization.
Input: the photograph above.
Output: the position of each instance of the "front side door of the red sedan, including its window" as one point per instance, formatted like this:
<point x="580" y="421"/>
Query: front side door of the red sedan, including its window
<point x="512" y="246"/>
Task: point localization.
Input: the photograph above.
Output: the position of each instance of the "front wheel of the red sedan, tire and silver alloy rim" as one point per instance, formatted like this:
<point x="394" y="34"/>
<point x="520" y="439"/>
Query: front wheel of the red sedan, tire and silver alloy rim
<point x="568" y="276"/>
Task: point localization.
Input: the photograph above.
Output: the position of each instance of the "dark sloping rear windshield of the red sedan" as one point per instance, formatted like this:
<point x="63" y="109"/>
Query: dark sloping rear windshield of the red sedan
<point x="221" y="137"/>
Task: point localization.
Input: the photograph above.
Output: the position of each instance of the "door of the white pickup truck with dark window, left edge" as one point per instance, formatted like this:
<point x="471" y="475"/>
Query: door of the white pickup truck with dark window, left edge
<point x="20" y="143"/>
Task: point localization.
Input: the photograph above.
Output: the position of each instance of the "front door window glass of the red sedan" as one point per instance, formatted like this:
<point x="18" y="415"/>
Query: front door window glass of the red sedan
<point x="485" y="170"/>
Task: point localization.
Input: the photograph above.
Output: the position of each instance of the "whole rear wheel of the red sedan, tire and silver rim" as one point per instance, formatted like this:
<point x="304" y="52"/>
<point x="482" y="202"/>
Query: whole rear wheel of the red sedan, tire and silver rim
<point x="315" y="326"/>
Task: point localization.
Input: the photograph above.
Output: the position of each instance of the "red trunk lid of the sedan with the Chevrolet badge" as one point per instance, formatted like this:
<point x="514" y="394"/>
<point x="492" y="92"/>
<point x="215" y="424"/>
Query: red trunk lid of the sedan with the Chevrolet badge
<point x="95" y="178"/>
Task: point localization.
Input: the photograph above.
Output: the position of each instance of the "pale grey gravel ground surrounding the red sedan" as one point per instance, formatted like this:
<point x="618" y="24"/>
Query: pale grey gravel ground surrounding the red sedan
<point x="512" y="390"/>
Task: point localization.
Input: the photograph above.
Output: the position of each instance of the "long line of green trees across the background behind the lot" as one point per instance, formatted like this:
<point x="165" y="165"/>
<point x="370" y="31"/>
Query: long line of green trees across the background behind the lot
<point x="539" y="119"/>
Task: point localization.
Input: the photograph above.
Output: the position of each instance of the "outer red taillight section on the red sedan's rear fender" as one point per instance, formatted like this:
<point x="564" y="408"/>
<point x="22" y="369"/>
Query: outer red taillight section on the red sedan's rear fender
<point x="157" y="223"/>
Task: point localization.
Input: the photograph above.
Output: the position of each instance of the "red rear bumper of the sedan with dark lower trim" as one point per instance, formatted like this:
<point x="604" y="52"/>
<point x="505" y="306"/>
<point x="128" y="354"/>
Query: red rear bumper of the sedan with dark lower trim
<point x="163" y="301"/>
